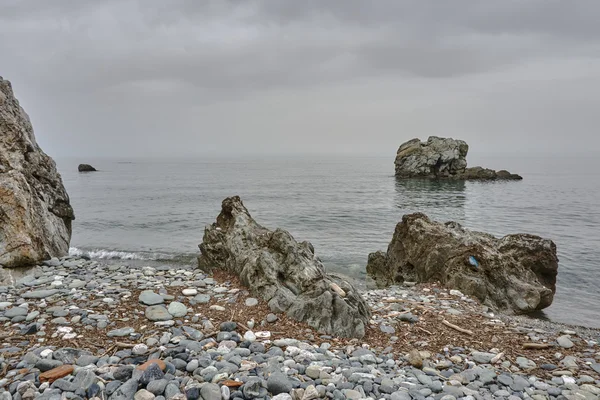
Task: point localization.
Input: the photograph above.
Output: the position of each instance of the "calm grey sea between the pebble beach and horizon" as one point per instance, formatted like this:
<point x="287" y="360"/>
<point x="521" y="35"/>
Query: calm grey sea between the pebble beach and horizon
<point x="347" y="207"/>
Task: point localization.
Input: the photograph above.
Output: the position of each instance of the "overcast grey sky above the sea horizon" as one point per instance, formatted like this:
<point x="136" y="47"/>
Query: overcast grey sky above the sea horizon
<point x="192" y="77"/>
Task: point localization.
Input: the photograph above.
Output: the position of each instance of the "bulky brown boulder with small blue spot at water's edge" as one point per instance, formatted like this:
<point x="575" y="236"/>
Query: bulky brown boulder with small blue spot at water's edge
<point x="515" y="274"/>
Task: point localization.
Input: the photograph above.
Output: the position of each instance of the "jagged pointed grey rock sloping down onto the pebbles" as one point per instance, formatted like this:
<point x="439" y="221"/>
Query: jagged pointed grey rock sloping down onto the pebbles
<point x="283" y="272"/>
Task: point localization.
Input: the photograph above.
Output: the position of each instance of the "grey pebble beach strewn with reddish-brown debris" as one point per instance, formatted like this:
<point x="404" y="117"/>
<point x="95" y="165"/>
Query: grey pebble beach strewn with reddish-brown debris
<point x="94" y="308"/>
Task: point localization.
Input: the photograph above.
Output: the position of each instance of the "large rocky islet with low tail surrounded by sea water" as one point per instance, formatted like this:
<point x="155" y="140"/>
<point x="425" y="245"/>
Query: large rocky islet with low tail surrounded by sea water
<point x="442" y="158"/>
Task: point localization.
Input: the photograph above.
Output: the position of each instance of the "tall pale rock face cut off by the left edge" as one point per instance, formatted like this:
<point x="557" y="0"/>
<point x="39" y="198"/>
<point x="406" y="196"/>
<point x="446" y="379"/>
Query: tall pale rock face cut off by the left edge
<point x="35" y="213"/>
